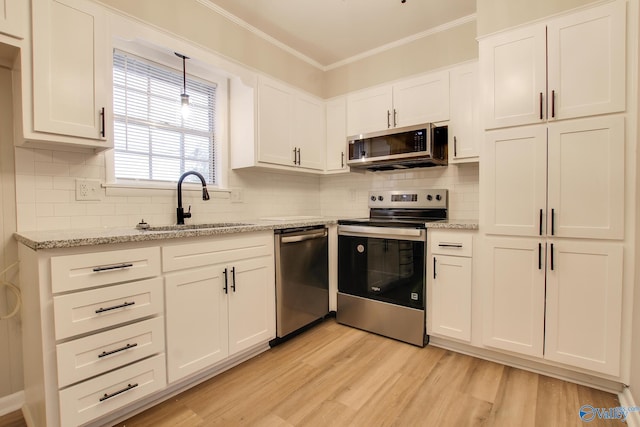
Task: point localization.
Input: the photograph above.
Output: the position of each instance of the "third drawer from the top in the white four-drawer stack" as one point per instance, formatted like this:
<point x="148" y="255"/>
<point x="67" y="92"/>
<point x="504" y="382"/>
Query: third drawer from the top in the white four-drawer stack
<point x="96" y="354"/>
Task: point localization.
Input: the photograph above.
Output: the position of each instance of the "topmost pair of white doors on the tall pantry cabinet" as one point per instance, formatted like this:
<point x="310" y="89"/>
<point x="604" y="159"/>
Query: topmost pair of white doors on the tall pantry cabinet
<point x="583" y="55"/>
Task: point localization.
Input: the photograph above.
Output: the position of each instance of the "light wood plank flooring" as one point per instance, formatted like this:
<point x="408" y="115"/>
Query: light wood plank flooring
<point x="333" y="375"/>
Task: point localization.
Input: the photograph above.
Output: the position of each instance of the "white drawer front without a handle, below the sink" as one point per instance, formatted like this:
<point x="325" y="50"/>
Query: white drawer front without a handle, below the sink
<point x="217" y="251"/>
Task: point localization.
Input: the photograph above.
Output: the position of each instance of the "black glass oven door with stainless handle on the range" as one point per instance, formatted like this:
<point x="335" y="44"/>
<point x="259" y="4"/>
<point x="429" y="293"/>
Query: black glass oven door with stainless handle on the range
<point x="382" y="263"/>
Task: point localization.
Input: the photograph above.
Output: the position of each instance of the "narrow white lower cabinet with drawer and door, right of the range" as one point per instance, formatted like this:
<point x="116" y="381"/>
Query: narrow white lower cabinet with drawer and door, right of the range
<point x="449" y="282"/>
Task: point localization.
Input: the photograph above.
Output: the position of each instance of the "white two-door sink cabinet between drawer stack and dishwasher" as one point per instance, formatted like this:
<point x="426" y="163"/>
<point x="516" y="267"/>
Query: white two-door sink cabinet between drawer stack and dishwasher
<point x="223" y="304"/>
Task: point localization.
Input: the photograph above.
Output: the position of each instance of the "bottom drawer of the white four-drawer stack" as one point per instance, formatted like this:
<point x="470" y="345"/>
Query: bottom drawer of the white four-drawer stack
<point x="99" y="396"/>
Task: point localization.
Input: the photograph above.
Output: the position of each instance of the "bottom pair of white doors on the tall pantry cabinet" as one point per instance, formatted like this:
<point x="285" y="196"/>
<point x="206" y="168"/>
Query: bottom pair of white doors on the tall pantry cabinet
<point x="556" y="299"/>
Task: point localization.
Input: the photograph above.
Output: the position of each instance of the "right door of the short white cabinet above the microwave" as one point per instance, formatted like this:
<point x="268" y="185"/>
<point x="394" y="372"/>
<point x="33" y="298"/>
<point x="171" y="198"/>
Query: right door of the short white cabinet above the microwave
<point x="423" y="99"/>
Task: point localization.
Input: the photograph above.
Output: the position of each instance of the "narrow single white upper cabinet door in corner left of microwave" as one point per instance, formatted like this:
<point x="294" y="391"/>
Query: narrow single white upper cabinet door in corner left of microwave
<point x="336" y="135"/>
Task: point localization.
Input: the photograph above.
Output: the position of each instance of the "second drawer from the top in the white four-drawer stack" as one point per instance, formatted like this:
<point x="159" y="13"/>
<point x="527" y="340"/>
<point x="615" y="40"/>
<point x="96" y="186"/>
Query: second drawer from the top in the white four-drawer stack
<point x="92" y="310"/>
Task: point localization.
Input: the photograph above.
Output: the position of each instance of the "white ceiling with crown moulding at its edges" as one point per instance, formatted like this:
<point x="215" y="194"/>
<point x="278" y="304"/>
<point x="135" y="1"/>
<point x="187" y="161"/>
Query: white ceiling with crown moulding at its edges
<point x="330" y="32"/>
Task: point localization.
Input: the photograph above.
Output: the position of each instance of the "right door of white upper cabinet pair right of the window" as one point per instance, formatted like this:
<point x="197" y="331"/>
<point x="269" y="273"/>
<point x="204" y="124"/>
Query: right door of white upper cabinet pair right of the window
<point x="309" y="132"/>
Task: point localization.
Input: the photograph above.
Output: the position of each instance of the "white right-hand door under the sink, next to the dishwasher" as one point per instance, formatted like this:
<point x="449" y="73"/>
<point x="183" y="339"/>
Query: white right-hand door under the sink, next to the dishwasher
<point x="252" y="316"/>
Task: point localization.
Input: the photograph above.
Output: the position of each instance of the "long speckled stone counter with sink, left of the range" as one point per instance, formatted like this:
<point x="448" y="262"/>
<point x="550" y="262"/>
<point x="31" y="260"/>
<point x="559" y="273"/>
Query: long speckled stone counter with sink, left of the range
<point x="38" y="240"/>
